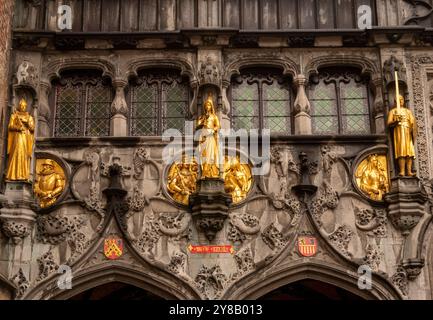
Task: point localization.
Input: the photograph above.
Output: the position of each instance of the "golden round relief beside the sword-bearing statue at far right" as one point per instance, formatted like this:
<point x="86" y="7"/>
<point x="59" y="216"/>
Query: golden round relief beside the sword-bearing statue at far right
<point x="372" y="176"/>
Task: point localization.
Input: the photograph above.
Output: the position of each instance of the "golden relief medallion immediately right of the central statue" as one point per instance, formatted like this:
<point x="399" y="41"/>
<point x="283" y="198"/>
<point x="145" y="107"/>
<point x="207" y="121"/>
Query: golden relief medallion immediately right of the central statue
<point x="237" y="178"/>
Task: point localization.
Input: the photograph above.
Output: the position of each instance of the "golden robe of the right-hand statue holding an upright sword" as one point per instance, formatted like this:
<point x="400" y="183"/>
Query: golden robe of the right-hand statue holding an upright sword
<point x="404" y="129"/>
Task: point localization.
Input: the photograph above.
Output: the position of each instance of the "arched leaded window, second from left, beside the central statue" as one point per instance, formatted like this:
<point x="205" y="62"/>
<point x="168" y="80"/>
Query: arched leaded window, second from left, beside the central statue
<point x="159" y="101"/>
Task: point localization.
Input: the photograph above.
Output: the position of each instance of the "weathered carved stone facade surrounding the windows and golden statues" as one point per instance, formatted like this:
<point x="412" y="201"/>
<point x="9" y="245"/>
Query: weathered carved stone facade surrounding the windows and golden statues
<point x="352" y="230"/>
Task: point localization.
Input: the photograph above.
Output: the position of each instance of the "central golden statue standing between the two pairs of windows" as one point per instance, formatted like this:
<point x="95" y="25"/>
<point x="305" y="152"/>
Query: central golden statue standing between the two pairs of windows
<point x="209" y="125"/>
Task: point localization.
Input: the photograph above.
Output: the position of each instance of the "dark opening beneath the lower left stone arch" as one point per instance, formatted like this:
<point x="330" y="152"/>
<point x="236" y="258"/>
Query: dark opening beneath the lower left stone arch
<point x="116" y="291"/>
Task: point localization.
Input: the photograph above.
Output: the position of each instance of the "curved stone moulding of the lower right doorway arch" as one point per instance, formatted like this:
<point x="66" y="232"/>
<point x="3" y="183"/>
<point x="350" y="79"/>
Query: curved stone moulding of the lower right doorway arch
<point x="253" y="287"/>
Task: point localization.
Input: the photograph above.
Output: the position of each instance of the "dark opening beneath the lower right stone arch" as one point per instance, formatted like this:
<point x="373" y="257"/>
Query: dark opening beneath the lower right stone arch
<point x="309" y="289"/>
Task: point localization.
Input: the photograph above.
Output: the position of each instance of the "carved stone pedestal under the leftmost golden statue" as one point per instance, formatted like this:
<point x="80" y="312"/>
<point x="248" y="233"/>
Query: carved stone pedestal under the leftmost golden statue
<point x="17" y="215"/>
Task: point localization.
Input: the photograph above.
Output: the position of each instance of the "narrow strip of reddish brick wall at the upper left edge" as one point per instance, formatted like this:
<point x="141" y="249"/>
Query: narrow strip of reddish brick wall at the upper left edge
<point x="6" y="9"/>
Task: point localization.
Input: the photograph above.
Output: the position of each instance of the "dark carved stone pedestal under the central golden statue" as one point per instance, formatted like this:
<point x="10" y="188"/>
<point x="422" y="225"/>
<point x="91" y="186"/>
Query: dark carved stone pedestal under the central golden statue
<point x="209" y="206"/>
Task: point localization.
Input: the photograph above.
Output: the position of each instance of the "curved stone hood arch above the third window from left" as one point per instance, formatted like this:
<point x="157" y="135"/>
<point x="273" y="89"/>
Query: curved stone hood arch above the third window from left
<point x="233" y="68"/>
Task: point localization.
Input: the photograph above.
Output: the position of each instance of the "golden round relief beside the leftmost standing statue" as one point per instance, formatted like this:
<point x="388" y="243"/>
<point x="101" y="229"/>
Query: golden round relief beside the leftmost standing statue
<point x="50" y="182"/>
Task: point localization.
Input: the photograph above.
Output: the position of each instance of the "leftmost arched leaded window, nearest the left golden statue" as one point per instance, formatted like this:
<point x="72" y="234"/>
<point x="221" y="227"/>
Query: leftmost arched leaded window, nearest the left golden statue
<point x="82" y="104"/>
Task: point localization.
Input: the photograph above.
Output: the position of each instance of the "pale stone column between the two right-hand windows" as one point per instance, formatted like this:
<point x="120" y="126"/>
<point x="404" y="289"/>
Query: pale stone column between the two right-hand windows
<point x="302" y="107"/>
